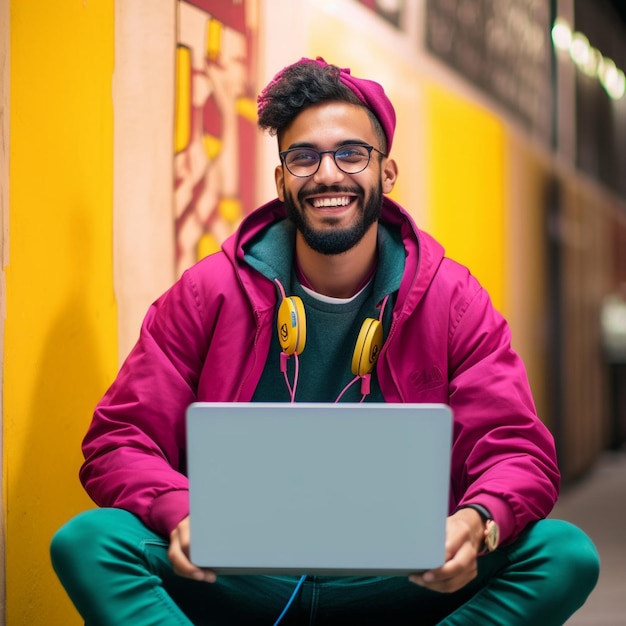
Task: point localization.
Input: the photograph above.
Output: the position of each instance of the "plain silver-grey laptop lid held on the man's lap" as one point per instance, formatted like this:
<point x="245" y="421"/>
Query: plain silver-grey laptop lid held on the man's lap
<point x="321" y="489"/>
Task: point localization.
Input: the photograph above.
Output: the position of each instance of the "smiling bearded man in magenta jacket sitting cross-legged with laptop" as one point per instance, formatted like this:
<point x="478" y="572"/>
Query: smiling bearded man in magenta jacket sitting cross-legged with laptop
<point x="338" y="251"/>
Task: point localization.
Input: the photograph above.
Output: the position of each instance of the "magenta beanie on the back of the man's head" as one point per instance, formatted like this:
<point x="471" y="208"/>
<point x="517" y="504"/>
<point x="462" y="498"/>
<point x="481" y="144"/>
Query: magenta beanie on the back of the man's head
<point x="369" y="92"/>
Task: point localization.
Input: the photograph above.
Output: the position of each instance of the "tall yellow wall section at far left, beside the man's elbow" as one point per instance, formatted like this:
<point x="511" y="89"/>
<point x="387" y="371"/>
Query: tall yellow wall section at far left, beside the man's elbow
<point x="60" y="331"/>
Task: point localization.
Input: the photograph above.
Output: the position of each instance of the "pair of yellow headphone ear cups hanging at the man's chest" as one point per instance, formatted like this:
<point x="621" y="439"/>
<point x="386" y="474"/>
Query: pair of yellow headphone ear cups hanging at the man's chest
<point x="291" y="324"/>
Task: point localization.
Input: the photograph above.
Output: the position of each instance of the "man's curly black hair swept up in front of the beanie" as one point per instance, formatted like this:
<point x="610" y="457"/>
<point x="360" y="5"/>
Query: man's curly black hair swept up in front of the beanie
<point x="299" y="86"/>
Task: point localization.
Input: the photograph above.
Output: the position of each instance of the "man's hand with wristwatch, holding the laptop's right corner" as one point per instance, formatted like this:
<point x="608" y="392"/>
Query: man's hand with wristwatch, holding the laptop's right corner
<point x="464" y="539"/>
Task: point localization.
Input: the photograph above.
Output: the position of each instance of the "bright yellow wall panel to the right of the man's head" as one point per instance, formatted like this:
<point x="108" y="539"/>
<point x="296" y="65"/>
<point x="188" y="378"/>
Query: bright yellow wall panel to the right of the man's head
<point x="466" y="186"/>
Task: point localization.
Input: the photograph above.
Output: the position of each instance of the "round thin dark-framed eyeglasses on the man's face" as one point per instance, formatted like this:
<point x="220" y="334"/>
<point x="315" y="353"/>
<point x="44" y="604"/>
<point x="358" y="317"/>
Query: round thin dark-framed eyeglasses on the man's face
<point x="350" y="159"/>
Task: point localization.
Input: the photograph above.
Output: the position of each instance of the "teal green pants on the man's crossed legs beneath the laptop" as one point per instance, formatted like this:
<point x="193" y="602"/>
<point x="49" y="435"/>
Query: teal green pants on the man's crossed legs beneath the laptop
<point x="116" y="572"/>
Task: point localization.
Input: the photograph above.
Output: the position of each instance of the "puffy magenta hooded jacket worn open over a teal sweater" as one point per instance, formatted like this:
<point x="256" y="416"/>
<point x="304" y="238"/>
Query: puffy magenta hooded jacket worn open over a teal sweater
<point x="207" y="339"/>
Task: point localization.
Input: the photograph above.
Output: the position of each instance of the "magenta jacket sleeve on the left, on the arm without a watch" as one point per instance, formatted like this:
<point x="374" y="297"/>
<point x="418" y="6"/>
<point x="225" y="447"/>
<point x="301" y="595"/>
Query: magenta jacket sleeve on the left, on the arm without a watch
<point x="134" y="447"/>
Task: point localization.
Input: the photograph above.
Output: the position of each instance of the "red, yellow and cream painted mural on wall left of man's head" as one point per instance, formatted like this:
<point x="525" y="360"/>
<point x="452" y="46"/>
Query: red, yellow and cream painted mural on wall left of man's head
<point x="215" y="123"/>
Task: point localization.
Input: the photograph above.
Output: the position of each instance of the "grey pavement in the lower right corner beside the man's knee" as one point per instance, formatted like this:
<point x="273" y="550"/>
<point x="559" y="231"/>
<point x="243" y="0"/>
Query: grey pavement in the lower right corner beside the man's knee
<point x="597" y="504"/>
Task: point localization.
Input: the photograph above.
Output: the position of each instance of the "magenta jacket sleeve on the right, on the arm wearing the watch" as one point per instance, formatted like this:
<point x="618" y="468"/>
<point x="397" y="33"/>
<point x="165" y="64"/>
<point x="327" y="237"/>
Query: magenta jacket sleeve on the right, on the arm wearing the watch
<point x="503" y="455"/>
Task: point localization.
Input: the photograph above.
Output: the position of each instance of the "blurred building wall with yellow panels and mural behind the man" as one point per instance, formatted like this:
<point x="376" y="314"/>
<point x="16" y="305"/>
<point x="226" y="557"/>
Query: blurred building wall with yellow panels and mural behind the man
<point x="128" y="149"/>
